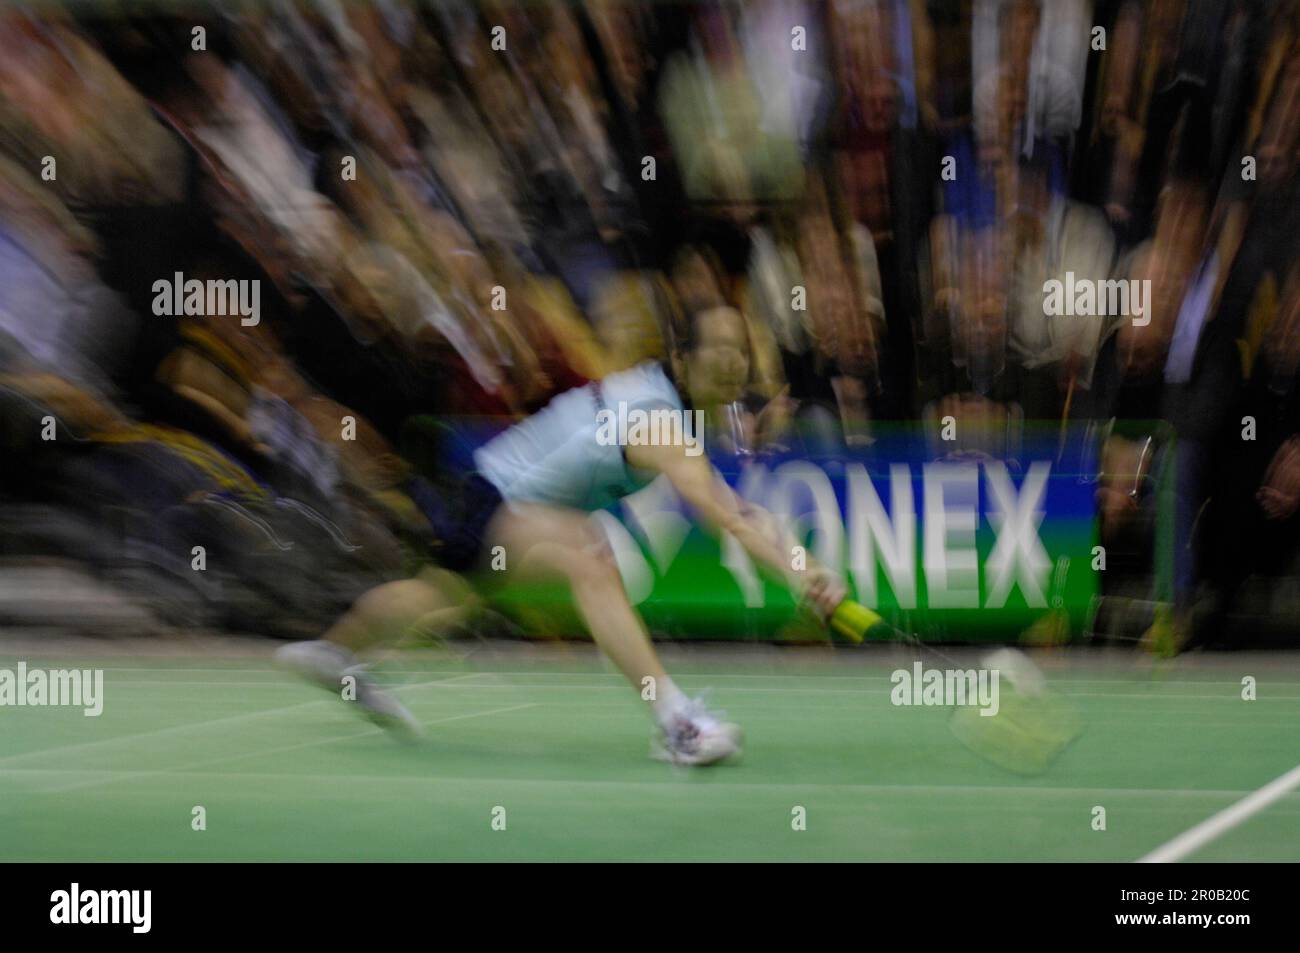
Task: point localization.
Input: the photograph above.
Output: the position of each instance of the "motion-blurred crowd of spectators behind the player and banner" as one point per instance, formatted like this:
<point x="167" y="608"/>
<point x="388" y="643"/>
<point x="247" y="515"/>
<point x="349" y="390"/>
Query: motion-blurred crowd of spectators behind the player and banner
<point x="466" y="209"/>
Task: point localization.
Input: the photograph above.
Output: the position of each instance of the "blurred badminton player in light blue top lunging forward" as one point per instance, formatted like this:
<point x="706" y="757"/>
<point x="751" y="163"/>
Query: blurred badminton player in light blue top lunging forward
<point x="532" y="493"/>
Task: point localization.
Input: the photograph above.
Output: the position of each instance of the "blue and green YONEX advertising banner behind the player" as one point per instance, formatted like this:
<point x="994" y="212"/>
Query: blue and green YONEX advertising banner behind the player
<point x="952" y="545"/>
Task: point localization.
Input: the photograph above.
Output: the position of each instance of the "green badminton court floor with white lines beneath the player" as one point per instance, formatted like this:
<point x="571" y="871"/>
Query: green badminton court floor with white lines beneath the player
<point x="552" y="737"/>
